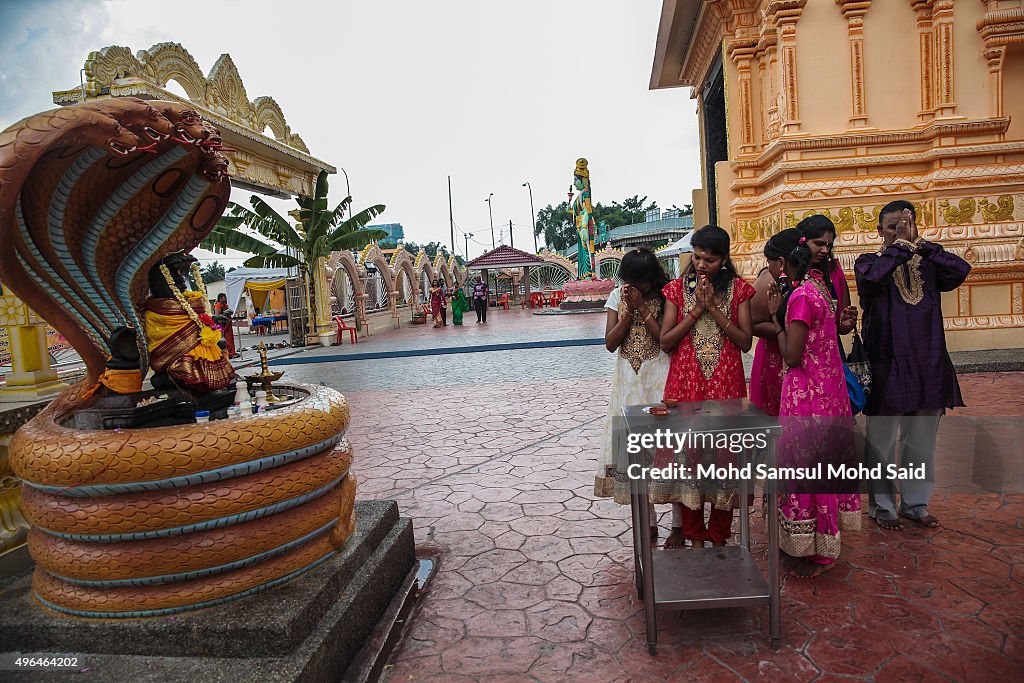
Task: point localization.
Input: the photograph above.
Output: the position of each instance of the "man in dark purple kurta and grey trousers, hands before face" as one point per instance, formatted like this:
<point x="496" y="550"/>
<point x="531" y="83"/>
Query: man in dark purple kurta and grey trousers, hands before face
<point x="913" y="378"/>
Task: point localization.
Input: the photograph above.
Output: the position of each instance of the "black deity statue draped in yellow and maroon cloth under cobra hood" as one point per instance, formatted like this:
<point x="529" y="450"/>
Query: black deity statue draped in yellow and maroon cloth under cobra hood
<point x="187" y="347"/>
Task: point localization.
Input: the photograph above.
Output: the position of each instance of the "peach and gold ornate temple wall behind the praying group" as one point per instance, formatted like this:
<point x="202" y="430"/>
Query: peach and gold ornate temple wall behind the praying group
<point x="839" y="107"/>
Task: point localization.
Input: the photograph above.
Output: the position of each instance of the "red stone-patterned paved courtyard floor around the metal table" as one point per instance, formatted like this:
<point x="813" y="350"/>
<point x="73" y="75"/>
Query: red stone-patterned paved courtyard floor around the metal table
<point x="493" y="456"/>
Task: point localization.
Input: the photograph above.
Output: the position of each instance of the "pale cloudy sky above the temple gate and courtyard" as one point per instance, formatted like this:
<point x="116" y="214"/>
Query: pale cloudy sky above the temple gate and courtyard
<point x="403" y="94"/>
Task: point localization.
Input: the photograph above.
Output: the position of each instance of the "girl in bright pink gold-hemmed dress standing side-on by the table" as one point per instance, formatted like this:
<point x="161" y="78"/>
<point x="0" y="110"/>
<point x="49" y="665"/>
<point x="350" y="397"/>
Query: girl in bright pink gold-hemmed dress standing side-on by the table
<point x="818" y="426"/>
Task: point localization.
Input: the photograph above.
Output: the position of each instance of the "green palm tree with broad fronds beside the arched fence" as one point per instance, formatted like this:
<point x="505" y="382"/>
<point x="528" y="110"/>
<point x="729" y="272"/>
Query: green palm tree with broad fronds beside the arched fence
<point x="320" y="232"/>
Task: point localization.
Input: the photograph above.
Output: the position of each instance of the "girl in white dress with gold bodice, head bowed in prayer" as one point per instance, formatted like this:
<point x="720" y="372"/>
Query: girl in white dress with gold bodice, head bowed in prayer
<point x="634" y="330"/>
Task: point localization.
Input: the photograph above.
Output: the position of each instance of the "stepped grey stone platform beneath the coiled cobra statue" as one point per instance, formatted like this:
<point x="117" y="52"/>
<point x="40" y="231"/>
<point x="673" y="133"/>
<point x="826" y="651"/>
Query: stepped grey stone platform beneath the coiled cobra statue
<point x="312" y="628"/>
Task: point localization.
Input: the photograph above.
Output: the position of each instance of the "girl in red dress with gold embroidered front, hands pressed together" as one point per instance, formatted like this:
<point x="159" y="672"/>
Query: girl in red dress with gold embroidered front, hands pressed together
<point x="707" y="326"/>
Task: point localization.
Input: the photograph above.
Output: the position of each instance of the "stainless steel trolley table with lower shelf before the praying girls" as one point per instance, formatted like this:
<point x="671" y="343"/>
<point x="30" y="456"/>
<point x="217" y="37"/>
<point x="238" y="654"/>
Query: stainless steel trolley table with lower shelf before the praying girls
<point x="712" y="578"/>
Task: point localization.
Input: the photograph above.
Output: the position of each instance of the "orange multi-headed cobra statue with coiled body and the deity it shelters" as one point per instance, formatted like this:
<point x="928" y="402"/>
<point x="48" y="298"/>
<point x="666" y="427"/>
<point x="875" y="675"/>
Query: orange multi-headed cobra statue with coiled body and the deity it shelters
<point x="100" y="205"/>
